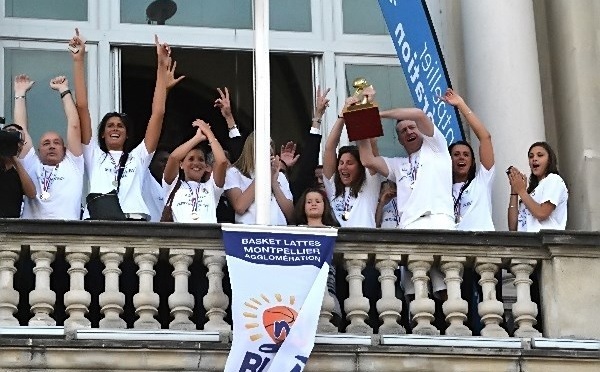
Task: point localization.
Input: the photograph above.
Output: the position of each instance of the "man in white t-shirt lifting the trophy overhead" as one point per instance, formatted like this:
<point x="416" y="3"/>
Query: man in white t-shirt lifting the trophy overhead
<point x="423" y="179"/>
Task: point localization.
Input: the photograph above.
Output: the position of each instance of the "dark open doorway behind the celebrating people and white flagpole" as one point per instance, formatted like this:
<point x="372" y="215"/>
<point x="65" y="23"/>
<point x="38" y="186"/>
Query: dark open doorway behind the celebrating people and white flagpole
<point x="205" y="70"/>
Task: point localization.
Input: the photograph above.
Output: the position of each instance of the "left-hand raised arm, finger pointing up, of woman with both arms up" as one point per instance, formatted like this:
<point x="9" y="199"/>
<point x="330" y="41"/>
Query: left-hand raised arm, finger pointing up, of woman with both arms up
<point x="77" y="48"/>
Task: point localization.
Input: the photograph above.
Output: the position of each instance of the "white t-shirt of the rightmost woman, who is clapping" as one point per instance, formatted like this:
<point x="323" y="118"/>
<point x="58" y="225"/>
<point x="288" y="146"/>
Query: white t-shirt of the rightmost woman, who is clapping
<point x="551" y="189"/>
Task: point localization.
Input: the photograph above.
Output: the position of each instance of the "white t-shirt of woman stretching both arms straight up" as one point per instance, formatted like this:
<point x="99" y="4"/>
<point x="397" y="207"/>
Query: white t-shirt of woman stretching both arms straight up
<point x="102" y="170"/>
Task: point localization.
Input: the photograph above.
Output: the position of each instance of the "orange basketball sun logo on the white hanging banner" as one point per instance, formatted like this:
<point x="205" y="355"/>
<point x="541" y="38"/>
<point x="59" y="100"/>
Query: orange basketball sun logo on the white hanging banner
<point x="277" y="318"/>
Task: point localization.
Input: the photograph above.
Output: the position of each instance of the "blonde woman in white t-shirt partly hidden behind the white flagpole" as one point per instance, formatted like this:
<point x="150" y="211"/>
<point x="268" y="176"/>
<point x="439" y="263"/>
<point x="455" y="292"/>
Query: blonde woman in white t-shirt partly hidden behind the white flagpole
<point x="239" y="188"/>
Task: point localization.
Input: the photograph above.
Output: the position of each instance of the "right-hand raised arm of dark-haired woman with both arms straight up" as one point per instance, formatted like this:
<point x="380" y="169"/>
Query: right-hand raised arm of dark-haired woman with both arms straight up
<point x="163" y="52"/>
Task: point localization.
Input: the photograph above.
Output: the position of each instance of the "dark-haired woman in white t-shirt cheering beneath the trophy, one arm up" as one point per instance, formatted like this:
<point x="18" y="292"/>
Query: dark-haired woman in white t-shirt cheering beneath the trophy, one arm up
<point x="351" y="188"/>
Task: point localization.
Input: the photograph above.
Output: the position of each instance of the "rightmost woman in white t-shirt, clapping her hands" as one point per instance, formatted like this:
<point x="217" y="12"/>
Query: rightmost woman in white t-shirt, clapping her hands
<point x="543" y="203"/>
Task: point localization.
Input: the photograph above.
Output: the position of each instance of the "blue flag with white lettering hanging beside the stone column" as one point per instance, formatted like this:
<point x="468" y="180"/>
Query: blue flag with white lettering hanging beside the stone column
<point x="421" y="59"/>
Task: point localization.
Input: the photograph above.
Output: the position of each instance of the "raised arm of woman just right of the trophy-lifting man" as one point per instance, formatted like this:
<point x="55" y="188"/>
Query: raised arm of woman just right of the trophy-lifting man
<point x="486" y="150"/>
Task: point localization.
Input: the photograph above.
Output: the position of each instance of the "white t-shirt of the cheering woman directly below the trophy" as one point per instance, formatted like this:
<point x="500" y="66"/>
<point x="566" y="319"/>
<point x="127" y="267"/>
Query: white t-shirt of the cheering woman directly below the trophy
<point x="360" y="211"/>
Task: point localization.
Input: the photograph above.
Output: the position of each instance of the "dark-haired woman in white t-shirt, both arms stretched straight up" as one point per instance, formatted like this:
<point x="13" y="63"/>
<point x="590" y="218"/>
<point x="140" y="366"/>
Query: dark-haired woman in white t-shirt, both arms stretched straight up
<point x="105" y="159"/>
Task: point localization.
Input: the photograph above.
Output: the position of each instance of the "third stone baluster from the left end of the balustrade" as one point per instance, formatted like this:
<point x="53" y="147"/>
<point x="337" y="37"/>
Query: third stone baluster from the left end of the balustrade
<point x="77" y="299"/>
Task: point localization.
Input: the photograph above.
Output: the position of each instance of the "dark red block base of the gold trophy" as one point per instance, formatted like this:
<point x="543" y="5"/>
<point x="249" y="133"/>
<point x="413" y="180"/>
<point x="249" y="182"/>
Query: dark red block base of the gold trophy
<point x="363" y="122"/>
